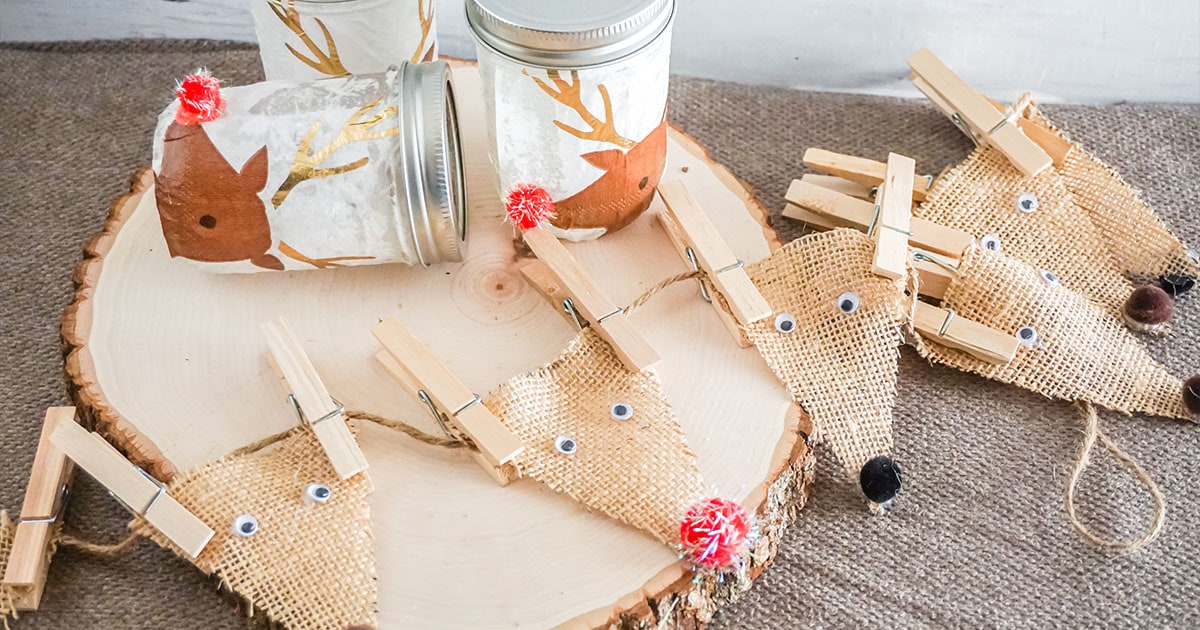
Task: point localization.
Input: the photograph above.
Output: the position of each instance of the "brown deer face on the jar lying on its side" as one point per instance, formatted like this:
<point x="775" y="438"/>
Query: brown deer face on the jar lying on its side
<point x="211" y="212"/>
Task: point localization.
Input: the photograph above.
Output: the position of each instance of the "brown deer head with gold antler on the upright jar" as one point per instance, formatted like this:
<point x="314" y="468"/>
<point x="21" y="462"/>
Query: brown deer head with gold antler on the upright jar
<point x="632" y="172"/>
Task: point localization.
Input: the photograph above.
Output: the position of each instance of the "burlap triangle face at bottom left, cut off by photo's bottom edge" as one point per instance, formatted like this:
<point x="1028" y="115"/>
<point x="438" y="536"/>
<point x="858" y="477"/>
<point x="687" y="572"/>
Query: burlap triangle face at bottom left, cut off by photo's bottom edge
<point x="310" y="565"/>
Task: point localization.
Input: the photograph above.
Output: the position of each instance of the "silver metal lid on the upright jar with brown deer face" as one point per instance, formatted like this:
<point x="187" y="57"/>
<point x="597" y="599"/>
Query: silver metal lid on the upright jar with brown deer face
<point x="568" y="33"/>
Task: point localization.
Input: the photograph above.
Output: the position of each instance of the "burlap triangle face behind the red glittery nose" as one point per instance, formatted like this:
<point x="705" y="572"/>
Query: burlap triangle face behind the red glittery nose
<point x="639" y="471"/>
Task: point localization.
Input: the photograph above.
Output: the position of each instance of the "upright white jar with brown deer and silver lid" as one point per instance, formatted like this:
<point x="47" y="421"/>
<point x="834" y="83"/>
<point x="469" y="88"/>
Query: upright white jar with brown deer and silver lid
<point x="577" y="94"/>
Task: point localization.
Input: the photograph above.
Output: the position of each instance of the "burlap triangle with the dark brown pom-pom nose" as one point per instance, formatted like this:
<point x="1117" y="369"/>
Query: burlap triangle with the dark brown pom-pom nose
<point x="981" y="195"/>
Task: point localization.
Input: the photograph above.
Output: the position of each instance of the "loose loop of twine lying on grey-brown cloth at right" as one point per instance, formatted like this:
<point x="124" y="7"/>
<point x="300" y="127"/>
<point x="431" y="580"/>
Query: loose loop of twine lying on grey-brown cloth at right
<point x="1093" y="435"/>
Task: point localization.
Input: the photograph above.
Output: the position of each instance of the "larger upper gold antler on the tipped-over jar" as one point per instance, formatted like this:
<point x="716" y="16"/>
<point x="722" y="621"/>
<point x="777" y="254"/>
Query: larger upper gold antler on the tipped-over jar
<point x="307" y="165"/>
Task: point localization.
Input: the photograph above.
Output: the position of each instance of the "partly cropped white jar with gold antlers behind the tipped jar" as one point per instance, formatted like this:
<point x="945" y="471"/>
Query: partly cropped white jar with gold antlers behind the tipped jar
<point x="305" y="40"/>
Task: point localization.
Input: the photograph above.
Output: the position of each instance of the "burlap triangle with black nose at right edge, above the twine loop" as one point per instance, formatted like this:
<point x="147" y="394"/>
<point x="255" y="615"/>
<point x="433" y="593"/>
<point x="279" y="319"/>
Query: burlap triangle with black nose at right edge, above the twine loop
<point x="1083" y="353"/>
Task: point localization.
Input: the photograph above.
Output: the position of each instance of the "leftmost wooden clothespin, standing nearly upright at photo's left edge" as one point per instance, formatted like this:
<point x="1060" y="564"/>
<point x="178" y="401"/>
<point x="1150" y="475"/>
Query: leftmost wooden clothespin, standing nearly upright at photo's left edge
<point x="40" y="514"/>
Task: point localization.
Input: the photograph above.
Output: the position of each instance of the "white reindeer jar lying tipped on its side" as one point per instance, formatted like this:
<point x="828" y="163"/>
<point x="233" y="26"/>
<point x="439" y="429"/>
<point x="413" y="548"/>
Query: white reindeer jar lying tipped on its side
<point x="352" y="171"/>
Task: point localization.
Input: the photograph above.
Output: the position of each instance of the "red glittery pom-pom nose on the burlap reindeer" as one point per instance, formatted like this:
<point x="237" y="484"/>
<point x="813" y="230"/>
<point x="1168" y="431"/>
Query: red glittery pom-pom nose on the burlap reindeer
<point x="715" y="533"/>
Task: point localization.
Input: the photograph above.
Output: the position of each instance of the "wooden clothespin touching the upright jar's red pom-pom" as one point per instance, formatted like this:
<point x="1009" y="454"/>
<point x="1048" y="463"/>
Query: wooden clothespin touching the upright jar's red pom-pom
<point x="589" y="303"/>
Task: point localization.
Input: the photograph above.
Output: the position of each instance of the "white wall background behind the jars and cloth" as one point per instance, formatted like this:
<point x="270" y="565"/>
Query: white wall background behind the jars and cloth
<point x="1081" y="51"/>
